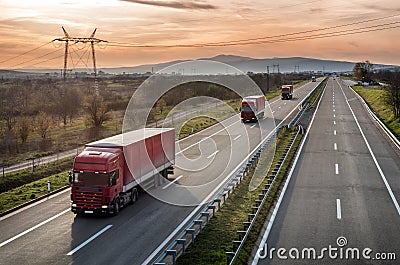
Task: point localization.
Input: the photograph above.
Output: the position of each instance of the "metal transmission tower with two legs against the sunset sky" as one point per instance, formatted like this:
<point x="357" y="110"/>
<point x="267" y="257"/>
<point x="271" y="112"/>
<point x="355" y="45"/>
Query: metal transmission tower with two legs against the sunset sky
<point x="92" y="40"/>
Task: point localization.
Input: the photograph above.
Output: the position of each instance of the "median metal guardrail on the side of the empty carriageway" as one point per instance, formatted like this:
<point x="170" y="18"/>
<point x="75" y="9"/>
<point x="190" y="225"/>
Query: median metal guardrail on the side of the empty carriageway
<point x="255" y="210"/>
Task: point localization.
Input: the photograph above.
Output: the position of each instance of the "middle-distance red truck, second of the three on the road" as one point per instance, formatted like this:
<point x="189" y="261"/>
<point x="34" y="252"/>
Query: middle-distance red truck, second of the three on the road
<point x="252" y="108"/>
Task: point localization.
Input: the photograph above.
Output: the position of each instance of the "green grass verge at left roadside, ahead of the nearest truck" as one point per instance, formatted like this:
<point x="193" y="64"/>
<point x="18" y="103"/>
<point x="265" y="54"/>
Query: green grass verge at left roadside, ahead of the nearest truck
<point x="27" y="192"/>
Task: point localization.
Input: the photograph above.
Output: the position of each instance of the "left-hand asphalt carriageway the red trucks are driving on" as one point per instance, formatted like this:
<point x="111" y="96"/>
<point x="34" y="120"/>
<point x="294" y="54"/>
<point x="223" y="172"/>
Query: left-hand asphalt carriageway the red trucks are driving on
<point x="48" y="233"/>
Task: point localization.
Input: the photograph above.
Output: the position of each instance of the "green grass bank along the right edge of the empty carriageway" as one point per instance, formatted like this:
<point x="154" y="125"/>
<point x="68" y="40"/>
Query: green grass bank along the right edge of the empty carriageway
<point x="375" y="97"/>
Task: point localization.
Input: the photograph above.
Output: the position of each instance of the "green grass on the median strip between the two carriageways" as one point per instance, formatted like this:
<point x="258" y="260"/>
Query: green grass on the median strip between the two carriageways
<point x="216" y="239"/>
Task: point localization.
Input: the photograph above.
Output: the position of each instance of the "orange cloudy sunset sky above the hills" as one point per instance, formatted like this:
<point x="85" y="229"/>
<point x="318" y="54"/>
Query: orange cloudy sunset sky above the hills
<point x="25" y="25"/>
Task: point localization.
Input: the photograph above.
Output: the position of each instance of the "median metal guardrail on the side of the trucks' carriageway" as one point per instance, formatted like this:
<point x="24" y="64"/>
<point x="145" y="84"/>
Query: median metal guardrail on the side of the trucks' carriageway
<point x="187" y="236"/>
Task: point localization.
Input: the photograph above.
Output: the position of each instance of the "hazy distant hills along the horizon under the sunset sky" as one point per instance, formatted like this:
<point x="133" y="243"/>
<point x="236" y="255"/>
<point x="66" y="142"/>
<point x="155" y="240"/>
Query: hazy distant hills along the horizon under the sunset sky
<point x="247" y="64"/>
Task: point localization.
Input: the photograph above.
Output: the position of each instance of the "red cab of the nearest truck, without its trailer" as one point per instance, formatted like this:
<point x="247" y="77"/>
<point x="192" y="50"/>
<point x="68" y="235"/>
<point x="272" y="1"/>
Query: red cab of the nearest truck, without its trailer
<point x="97" y="181"/>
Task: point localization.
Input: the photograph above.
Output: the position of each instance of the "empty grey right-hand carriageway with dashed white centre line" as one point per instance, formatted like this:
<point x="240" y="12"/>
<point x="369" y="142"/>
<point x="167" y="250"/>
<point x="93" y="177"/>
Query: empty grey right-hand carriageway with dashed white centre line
<point x="346" y="185"/>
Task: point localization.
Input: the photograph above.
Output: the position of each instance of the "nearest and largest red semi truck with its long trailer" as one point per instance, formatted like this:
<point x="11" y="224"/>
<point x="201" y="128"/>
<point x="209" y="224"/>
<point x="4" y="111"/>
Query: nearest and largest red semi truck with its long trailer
<point x="107" y="173"/>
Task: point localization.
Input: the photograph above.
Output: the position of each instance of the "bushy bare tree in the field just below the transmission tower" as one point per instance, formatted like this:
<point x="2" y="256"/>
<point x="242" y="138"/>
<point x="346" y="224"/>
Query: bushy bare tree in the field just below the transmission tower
<point x="96" y="110"/>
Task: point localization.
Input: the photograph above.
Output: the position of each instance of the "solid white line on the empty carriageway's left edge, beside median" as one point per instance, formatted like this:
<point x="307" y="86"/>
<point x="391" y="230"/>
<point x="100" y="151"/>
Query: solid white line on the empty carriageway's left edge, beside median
<point x="275" y="212"/>
